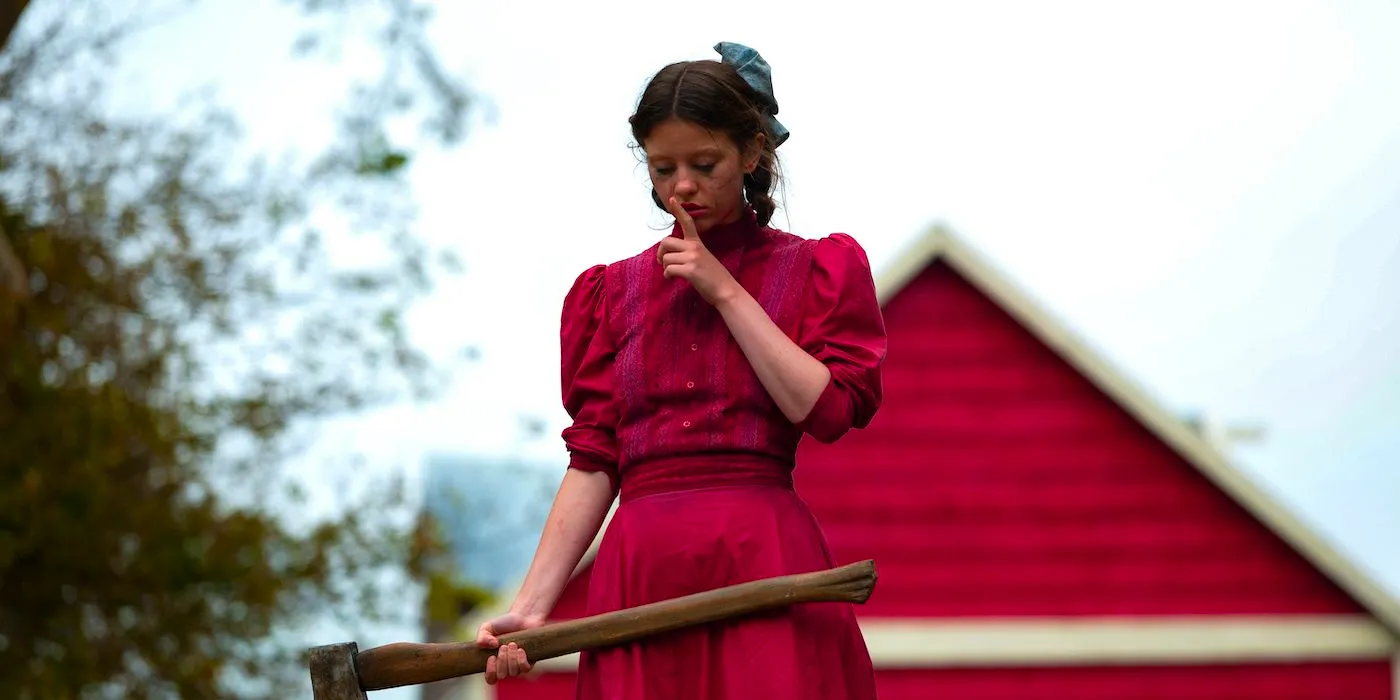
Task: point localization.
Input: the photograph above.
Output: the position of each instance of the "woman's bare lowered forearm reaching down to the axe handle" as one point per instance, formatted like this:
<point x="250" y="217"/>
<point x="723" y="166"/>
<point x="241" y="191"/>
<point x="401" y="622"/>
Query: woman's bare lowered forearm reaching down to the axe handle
<point x="573" y="521"/>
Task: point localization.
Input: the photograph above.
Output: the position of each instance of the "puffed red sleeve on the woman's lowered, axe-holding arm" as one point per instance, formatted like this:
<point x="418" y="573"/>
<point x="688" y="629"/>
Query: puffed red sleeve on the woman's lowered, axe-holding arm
<point x="586" y="374"/>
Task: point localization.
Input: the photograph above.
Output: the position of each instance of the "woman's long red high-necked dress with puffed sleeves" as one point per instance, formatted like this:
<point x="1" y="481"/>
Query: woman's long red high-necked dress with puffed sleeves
<point x="664" y="402"/>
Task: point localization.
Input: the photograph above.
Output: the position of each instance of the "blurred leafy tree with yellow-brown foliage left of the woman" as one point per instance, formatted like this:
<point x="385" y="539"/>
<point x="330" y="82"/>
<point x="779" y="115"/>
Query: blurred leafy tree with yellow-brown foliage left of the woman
<point x="173" y="324"/>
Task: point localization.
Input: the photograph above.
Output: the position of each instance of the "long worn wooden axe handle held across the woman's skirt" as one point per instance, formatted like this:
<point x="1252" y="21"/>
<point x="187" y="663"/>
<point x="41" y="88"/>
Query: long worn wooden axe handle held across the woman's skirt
<point x="407" y="664"/>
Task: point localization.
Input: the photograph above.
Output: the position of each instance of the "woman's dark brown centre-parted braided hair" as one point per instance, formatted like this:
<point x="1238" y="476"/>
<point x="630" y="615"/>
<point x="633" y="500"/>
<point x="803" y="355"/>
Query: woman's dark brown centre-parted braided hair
<point x="713" y="96"/>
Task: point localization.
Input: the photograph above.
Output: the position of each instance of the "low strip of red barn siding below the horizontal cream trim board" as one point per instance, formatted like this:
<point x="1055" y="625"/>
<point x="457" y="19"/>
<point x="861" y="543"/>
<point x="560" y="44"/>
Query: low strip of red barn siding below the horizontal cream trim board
<point x="1346" y="681"/>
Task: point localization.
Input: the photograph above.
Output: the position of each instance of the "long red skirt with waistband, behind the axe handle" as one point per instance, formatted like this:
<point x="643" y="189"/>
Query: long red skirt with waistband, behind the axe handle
<point x="687" y="527"/>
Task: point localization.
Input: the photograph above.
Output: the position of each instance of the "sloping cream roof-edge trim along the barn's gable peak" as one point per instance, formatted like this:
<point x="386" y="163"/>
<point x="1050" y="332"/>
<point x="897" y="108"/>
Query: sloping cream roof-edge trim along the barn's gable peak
<point x="939" y="244"/>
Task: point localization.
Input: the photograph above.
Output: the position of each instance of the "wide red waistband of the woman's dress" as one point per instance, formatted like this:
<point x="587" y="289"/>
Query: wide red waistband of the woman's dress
<point x="689" y="474"/>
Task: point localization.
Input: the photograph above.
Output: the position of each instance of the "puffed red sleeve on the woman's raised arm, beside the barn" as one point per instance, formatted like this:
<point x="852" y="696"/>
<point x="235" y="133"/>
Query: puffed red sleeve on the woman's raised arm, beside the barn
<point x="843" y="327"/>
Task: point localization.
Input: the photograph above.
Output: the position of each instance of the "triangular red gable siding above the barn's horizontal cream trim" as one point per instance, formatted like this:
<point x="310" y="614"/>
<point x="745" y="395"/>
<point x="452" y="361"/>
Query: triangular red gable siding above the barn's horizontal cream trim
<point x="1000" y="482"/>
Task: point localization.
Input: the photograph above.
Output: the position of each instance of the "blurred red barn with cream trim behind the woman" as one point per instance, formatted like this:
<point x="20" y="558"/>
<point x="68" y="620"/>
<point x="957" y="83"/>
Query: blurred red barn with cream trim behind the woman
<point x="1044" y="530"/>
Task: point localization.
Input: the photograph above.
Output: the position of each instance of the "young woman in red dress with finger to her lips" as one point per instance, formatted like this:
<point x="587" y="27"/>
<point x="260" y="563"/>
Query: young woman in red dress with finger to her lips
<point x="691" y="373"/>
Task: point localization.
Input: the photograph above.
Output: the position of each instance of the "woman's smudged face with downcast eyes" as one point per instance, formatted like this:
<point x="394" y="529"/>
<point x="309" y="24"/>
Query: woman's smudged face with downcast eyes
<point x="702" y="169"/>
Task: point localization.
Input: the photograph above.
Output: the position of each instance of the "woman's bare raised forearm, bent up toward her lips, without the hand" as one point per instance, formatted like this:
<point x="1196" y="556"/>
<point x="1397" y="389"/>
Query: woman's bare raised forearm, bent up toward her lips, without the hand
<point x="792" y="377"/>
